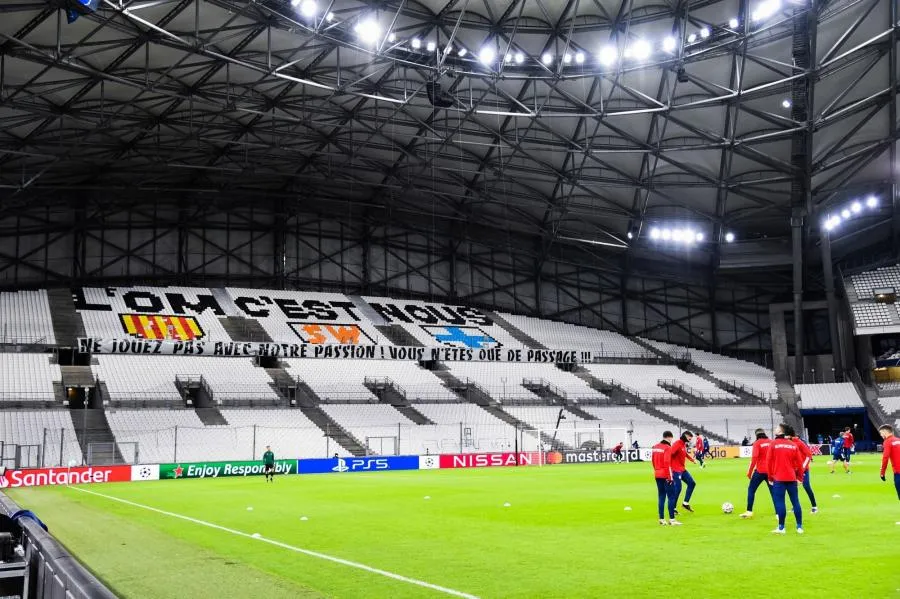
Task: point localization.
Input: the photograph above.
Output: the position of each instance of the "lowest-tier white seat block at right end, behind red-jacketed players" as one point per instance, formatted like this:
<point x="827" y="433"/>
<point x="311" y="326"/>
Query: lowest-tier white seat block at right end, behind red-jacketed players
<point x="732" y="422"/>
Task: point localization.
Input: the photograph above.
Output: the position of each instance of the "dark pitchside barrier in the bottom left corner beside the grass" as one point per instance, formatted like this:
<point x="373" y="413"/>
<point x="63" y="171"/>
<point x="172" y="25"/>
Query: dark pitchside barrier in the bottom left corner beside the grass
<point x="42" y="569"/>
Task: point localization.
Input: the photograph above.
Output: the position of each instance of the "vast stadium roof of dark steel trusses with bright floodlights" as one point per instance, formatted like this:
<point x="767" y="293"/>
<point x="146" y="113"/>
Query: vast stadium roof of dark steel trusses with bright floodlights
<point x="616" y="130"/>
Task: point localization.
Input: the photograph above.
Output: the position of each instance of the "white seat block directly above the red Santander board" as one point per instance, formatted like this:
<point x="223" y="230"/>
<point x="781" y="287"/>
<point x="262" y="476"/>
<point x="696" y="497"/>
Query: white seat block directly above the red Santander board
<point x="46" y="430"/>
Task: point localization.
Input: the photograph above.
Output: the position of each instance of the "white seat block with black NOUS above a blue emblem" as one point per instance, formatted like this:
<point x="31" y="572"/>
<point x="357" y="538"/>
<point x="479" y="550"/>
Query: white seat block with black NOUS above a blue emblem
<point x="429" y="319"/>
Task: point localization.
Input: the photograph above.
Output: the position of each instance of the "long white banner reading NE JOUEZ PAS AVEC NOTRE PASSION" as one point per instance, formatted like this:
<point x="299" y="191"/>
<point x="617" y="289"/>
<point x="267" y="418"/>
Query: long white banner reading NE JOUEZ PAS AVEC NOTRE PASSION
<point x="240" y="349"/>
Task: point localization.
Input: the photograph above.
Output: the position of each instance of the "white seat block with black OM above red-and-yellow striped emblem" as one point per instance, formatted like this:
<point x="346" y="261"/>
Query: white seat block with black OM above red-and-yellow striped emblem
<point x="100" y="323"/>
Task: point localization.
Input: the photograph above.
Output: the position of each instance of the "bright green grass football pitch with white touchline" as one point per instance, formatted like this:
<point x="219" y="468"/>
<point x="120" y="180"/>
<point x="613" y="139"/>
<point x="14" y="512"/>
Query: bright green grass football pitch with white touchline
<point x="566" y="533"/>
